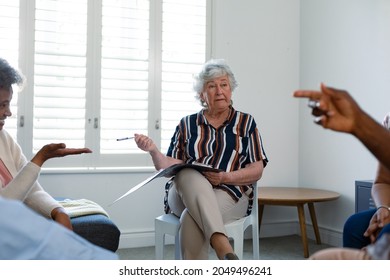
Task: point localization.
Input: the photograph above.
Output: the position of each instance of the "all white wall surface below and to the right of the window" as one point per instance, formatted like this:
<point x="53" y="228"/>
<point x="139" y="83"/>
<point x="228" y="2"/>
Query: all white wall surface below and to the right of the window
<point x="275" y="47"/>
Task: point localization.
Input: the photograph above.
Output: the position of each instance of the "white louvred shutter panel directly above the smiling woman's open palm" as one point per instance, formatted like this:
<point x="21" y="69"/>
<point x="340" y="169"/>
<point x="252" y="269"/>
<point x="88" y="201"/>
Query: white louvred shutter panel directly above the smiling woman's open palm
<point x="60" y="72"/>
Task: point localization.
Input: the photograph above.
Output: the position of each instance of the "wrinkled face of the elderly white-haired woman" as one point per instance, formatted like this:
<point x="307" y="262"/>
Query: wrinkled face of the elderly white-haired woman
<point x="217" y="93"/>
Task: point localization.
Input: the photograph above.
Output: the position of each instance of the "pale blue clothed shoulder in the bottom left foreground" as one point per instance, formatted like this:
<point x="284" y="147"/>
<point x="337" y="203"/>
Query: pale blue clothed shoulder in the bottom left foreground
<point x="26" y="235"/>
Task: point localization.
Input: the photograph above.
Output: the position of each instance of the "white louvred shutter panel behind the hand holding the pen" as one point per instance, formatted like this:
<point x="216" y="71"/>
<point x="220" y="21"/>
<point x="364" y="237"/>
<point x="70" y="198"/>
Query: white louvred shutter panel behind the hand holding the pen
<point x="124" y="74"/>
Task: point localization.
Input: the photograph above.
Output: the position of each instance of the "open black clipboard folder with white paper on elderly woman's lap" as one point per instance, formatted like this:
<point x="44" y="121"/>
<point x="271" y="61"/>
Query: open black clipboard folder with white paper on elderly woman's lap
<point x="169" y="172"/>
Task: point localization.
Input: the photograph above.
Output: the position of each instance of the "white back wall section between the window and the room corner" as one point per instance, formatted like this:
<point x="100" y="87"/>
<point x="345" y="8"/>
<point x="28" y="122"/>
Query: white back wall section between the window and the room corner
<point x="260" y="41"/>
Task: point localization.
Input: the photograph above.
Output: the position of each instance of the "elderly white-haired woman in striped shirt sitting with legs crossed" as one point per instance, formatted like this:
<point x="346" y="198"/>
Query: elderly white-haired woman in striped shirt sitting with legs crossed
<point x="221" y="137"/>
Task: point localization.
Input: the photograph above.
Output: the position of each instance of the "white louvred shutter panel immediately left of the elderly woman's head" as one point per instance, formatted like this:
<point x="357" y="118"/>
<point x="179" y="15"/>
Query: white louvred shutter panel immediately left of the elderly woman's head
<point x="183" y="53"/>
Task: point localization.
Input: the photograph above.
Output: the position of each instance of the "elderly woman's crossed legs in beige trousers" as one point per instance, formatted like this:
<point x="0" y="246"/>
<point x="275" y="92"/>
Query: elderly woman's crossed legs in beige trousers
<point x="203" y="211"/>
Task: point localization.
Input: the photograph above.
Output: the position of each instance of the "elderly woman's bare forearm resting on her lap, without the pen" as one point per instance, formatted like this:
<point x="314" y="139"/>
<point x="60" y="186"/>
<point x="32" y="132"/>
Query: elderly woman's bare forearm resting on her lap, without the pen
<point x="245" y="176"/>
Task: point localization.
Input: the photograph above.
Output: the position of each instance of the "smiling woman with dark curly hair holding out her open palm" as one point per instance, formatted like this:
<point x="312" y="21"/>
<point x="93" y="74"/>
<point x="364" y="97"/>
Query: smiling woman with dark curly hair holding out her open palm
<point x="12" y="159"/>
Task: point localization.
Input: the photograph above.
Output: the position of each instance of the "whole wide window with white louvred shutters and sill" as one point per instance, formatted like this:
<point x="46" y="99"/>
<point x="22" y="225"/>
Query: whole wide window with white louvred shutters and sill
<point x="106" y="70"/>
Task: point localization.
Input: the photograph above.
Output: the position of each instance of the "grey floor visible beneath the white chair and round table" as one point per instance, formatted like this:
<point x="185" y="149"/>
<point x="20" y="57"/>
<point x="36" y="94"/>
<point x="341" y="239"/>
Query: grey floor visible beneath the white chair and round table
<point x="272" y="248"/>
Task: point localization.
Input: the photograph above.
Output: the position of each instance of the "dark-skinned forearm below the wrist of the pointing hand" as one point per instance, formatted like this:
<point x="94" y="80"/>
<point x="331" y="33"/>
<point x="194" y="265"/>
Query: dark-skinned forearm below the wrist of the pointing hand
<point x="375" y="137"/>
